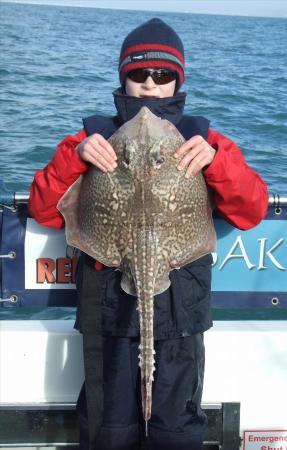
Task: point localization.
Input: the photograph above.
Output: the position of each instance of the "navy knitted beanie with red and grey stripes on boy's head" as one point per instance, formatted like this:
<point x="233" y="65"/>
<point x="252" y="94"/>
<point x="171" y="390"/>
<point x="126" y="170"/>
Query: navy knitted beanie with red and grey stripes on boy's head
<point x="153" y="44"/>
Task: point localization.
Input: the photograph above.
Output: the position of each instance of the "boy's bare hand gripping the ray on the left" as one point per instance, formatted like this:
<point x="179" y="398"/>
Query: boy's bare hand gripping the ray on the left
<point x="96" y="150"/>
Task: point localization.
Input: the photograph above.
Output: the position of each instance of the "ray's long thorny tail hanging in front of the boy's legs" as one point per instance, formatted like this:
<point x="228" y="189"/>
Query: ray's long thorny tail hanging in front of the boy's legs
<point x="145" y="271"/>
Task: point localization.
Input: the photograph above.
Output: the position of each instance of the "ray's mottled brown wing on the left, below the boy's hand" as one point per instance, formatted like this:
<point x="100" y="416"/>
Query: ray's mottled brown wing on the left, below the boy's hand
<point x="92" y="208"/>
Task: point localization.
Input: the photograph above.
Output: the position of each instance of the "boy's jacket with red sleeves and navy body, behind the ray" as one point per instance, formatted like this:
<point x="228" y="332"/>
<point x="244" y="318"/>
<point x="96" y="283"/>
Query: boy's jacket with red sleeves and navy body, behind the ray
<point x="239" y="194"/>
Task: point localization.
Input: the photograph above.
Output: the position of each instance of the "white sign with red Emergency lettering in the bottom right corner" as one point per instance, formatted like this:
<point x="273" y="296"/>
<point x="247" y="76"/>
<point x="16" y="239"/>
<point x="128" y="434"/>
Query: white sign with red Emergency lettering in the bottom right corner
<point x="265" y="440"/>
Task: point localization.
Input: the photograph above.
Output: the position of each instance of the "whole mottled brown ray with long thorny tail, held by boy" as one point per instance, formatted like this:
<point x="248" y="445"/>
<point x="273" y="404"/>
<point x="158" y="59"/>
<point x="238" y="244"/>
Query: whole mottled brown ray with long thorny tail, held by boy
<point x="145" y="218"/>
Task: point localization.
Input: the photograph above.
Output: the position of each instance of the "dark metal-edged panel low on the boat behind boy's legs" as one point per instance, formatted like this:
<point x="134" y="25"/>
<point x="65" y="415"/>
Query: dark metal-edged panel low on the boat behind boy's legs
<point x="55" y="425"/>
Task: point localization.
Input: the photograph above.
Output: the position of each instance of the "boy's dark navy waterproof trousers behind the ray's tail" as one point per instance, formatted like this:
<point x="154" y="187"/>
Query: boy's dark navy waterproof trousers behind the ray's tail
<point x="177" y="422"/>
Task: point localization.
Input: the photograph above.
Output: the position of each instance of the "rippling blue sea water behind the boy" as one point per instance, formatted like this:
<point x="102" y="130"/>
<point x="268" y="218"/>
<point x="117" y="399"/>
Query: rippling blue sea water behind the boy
<point x="59" y="64"/>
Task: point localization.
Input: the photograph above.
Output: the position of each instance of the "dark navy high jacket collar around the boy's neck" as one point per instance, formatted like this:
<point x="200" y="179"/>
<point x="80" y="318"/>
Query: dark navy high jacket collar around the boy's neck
<point x="170" y="108"/>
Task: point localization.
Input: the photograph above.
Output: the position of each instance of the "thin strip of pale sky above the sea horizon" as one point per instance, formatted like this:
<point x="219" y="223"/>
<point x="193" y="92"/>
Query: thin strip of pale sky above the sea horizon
<point x="270" y="8"/>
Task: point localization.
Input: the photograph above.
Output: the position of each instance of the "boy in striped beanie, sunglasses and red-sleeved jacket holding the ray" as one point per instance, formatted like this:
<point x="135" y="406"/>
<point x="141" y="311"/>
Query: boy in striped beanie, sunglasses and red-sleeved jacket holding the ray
<point x="151" y="70"/>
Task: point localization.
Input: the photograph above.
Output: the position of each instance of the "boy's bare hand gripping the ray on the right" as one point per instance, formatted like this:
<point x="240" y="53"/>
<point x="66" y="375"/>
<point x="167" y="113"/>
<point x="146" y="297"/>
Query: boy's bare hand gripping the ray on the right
<point x="198" y="154"/>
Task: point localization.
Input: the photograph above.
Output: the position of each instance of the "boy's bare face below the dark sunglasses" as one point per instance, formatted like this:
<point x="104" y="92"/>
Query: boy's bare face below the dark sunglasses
<point x="149" y="88"/>
